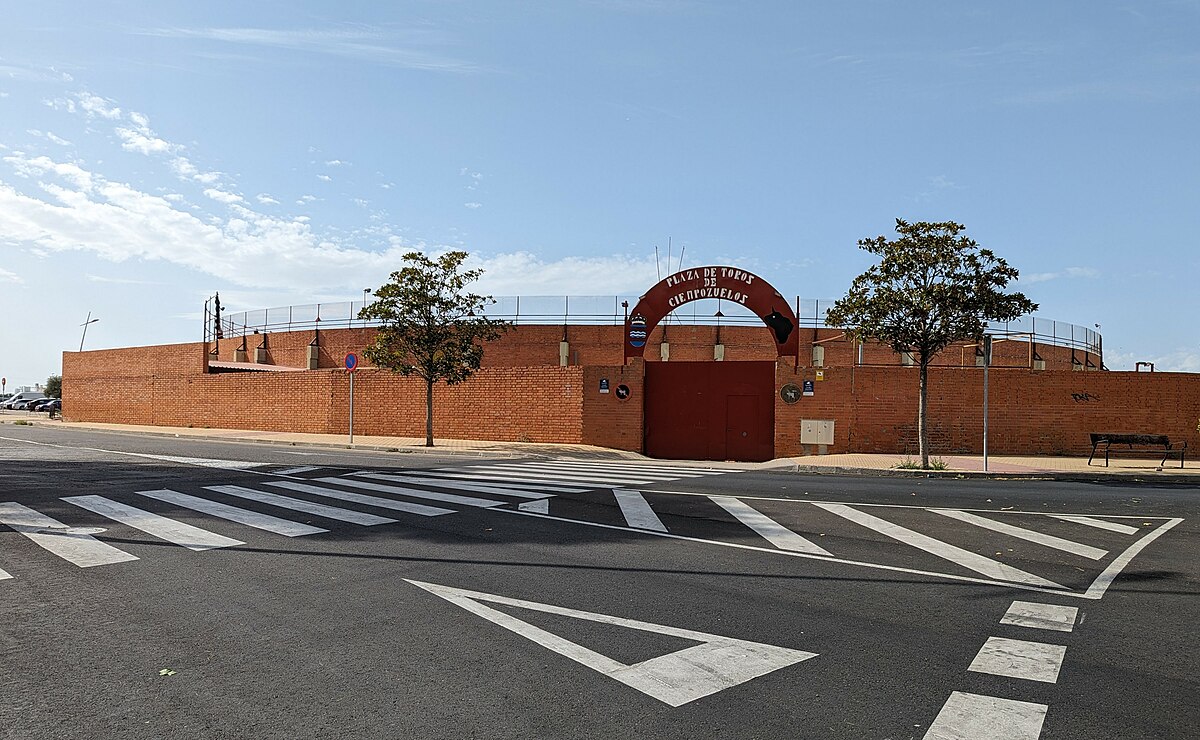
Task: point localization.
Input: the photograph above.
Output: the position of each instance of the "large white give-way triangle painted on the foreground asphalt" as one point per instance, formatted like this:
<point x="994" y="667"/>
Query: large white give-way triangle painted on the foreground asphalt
<point x="675" y="679"/>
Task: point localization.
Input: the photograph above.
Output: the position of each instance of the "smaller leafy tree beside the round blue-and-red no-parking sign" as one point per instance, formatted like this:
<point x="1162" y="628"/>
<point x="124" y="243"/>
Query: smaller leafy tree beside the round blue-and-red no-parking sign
<point x="431" y="327"/>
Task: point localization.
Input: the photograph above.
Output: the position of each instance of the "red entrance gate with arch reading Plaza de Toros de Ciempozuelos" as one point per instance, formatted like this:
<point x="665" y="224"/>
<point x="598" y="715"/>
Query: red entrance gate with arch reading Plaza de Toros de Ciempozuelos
<point x="711" y="411"/>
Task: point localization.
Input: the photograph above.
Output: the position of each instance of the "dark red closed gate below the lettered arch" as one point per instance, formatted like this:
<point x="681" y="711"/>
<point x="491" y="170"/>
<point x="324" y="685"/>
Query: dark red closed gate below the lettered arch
<point x="711" y="411"/>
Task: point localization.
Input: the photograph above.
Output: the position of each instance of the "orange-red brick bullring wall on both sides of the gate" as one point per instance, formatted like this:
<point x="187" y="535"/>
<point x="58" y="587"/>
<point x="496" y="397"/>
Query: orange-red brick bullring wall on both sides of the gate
<point x="523" y="394"/>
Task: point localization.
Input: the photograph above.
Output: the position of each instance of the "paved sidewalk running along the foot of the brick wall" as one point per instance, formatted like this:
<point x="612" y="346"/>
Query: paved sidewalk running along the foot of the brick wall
<point x="957" y="466"/>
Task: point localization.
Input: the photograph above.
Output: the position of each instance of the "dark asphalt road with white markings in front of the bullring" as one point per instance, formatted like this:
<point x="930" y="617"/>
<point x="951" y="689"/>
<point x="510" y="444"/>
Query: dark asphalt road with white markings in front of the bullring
<point x="154" y="587"/>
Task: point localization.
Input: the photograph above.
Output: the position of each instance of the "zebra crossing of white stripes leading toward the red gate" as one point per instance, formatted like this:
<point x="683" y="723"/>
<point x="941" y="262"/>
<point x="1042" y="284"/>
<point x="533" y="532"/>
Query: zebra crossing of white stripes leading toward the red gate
<point x="337" y="498"/>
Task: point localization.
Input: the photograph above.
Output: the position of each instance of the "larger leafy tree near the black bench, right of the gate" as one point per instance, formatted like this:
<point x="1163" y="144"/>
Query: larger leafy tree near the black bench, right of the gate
<point x="932" y="287"/>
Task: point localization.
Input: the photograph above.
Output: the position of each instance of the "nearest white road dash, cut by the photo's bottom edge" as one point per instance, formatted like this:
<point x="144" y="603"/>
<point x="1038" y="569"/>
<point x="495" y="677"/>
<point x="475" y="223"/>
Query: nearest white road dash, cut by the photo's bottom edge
<point x="971" y="717"/>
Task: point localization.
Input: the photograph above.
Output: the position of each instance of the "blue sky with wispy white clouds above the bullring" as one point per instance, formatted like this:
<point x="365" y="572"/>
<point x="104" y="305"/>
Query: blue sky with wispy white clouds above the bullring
<point x="290" y="153"/>
